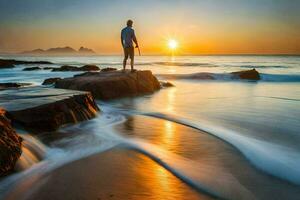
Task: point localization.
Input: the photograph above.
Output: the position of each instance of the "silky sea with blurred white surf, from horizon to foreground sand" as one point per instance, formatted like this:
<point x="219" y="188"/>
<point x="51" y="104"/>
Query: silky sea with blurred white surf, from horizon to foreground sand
<point x="231" y="139"/>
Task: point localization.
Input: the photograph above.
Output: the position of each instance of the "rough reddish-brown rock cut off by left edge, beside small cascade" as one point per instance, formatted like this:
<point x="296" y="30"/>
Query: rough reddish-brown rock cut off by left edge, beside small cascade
<point x="10" y="145"/>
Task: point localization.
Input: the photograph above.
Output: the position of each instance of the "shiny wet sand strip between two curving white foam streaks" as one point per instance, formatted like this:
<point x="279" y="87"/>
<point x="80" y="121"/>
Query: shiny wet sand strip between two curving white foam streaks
<point x="213" y="158"/>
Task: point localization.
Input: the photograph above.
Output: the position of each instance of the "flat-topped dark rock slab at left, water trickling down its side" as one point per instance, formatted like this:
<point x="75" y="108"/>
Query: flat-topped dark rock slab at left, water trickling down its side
<point x="42" y="109"/>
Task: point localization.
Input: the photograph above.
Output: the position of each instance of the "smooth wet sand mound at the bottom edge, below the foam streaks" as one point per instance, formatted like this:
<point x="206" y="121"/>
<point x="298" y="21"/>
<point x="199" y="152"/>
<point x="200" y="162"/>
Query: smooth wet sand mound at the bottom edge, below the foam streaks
<point x="114" y="174"/>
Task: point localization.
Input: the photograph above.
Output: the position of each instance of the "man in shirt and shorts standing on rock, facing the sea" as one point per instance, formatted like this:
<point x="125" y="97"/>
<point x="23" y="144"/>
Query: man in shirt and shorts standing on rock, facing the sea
<point x="127" y="39"/>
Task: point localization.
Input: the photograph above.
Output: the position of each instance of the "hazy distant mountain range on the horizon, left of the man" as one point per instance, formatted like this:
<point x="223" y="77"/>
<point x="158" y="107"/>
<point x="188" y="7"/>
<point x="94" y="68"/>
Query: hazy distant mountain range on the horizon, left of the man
<point x="60" y="51"/>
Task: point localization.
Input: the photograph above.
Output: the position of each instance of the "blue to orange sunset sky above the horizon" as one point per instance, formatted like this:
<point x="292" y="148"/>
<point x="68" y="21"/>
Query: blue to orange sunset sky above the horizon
<point x="199" y="26"/>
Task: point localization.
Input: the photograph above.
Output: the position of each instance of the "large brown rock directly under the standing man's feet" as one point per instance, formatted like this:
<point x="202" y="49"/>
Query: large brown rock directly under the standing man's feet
<point x="114" y="84"/>
